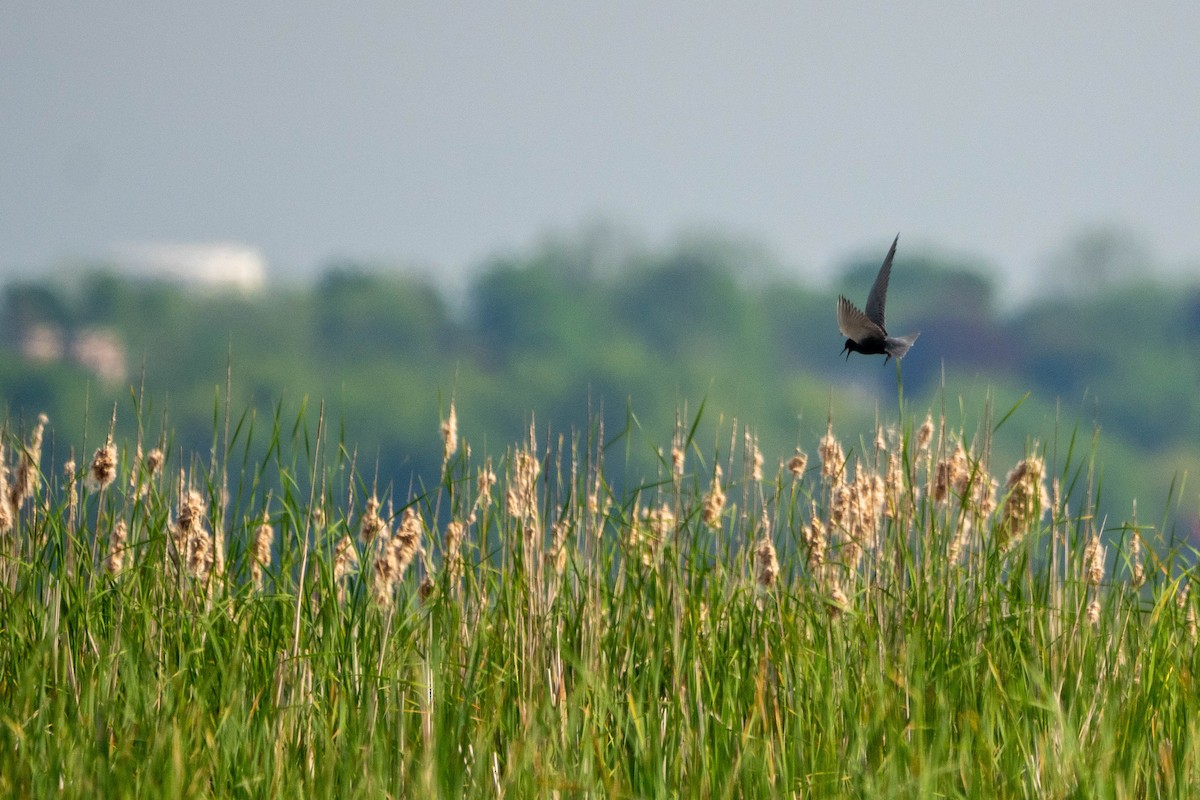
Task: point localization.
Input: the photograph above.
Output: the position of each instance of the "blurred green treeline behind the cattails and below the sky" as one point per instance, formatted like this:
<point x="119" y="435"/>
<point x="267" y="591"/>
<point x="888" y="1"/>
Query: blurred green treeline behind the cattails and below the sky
<point x="571" y="334"/>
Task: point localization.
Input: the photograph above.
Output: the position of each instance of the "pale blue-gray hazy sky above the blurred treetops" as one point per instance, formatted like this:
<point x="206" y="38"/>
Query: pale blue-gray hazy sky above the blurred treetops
<point x="445" y="133"/>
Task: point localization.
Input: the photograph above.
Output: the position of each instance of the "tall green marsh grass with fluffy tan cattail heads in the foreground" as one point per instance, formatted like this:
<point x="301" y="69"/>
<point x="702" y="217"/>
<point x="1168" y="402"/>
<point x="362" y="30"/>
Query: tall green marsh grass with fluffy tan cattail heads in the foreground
<point x="897" y="617"/>
